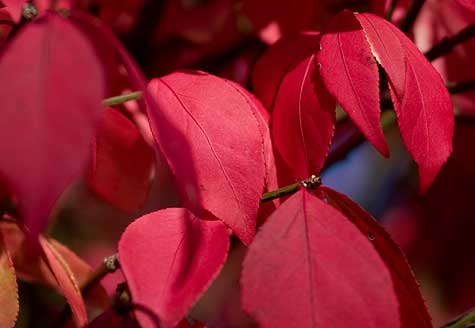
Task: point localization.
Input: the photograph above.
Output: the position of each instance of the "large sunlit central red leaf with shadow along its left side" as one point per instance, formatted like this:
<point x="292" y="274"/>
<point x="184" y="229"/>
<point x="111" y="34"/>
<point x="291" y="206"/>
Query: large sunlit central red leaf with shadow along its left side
<point x="209" y="135"/>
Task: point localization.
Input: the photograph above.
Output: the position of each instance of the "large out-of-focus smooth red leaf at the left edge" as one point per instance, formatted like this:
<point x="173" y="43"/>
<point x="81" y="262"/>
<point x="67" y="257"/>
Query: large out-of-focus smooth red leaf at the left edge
<point x="47" y="120"/>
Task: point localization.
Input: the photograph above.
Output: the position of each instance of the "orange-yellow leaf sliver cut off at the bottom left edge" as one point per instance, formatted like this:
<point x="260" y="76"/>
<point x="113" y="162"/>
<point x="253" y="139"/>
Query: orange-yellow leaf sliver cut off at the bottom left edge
<point x="8" y="288"/>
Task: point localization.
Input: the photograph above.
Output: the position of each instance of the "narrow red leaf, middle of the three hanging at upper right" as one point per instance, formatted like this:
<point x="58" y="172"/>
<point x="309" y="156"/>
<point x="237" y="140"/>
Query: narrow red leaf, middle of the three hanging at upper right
<point x="350" y="74"/>
